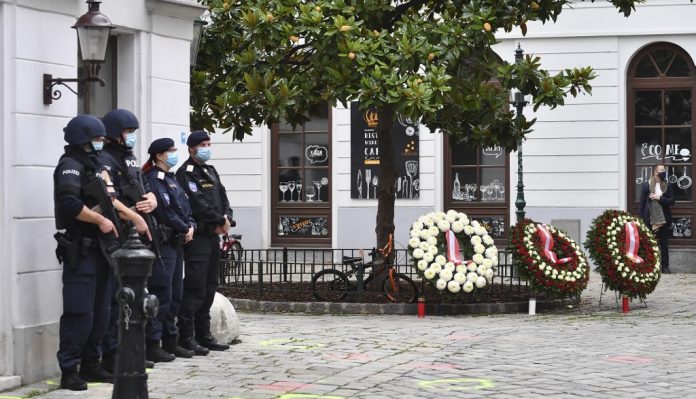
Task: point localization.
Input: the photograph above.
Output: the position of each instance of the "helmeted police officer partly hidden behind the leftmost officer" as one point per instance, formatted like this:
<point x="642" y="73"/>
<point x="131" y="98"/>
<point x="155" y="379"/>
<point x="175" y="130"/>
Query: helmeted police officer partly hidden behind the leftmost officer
<point x="118" y="158"/>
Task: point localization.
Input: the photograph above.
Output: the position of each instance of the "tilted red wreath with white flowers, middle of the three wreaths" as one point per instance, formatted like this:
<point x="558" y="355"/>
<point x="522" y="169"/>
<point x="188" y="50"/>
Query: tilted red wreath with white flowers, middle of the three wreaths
<point x="562" y="270"/>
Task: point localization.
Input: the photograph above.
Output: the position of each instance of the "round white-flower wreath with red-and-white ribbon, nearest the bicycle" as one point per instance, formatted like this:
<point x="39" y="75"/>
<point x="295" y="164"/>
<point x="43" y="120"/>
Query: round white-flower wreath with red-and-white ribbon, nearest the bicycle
<point x="434" y="248"/>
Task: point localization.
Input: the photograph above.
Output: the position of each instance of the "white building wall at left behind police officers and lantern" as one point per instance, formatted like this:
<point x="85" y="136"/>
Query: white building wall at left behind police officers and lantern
<point x="146" y="71"/>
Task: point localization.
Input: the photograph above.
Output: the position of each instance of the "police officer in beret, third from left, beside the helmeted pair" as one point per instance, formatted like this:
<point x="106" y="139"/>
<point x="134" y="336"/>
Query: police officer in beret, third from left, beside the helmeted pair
<point x="176" y="227"/>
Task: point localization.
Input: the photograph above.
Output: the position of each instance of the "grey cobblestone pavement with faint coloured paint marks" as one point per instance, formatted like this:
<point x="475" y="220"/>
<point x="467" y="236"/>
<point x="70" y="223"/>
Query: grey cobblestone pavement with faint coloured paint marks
<point x="591" y="351"/>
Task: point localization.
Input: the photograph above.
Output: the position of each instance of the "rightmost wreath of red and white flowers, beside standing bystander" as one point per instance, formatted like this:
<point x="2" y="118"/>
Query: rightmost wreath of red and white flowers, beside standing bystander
<point x="625" y="252"/>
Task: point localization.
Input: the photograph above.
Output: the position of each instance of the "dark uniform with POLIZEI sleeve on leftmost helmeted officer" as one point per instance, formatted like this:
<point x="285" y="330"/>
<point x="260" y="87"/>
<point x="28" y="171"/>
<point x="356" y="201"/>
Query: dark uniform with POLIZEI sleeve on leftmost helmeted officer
<point x="86" y="274"/>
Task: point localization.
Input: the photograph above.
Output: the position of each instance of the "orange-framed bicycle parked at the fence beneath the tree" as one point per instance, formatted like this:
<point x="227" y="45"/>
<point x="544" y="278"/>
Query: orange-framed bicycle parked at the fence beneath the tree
<point x="335" y="285"/>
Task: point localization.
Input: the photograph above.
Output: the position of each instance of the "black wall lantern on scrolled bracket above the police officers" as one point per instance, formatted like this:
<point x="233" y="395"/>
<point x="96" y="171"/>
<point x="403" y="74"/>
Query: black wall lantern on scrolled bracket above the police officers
<point x="93" y="29"/>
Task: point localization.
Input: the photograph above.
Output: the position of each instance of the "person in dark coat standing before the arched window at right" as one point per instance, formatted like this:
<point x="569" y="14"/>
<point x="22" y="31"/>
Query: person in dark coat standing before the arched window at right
<point x="656" y="199"/>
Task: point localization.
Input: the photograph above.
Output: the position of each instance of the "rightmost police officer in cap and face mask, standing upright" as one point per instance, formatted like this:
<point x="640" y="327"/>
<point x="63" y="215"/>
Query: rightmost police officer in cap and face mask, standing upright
<point x="213" y="216"/>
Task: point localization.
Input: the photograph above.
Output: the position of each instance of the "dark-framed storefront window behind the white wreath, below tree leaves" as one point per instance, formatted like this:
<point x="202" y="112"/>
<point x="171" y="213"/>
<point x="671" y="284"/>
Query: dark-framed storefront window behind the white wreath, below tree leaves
<point x="476" y="183"/>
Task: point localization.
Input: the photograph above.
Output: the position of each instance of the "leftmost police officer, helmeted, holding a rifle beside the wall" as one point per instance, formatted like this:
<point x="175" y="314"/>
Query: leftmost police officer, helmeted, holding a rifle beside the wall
<point x="86" y="273"/>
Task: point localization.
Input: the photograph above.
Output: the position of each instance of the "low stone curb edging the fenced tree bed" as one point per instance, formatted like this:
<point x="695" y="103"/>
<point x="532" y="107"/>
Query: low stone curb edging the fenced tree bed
<point x="250" y="305"/>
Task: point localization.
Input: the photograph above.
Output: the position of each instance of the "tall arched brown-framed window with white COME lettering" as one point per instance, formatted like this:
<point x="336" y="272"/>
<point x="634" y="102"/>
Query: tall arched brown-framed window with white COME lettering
<point x="660" y="102"/>
